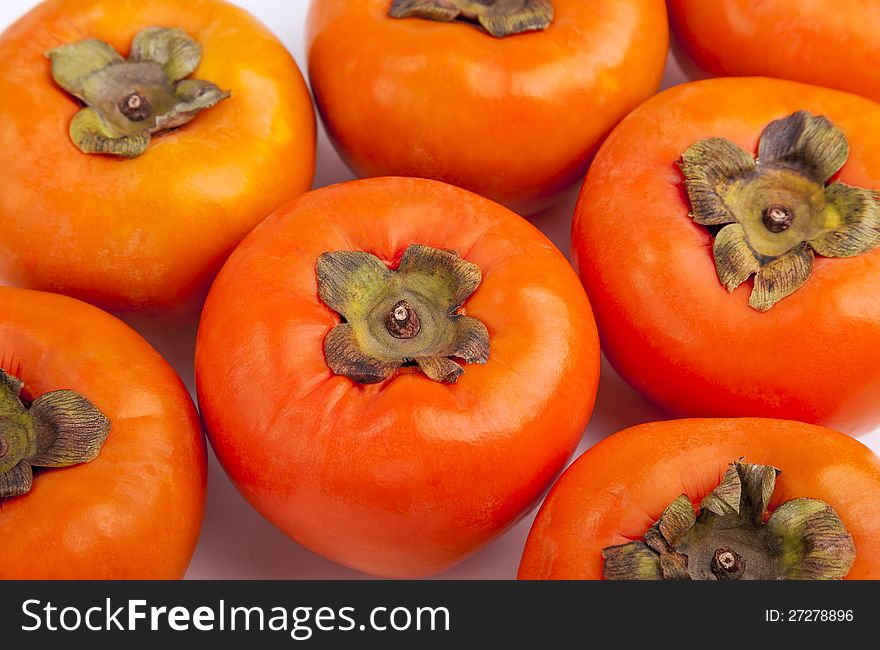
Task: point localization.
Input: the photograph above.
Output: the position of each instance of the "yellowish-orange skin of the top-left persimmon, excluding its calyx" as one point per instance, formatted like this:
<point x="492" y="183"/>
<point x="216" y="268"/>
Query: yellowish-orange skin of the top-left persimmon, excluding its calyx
<point x="151" y="232"/>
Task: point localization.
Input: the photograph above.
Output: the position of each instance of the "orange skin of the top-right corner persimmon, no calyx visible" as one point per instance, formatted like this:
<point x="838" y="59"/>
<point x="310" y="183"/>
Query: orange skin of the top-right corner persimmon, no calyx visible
<point x="802" y="40"/>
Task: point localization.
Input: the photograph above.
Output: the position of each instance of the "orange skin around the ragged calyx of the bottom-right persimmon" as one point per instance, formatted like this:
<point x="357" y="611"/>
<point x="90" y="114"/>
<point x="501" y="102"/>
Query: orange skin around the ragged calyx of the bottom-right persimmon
<point x="619" y="488"/>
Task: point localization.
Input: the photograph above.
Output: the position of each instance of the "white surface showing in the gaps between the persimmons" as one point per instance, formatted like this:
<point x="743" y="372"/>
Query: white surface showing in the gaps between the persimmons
<point x="238" y="543"/>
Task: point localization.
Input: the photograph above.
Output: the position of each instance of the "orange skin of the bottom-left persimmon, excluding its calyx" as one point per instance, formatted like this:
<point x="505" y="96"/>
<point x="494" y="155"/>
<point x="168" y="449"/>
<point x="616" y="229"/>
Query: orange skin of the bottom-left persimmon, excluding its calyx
<point x="135" y="511"/>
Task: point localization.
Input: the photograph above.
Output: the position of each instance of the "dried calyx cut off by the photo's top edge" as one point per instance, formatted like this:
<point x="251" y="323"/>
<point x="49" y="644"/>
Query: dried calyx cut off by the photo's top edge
<point x="498" y="17"/>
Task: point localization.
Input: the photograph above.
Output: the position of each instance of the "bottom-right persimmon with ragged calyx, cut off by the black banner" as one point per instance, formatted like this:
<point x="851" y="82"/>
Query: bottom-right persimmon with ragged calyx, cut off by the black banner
<point x="776" y="500"/>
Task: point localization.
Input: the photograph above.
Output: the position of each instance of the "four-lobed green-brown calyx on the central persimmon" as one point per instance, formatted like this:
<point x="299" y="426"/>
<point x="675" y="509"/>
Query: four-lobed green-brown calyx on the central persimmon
<point x="408" y="315"/>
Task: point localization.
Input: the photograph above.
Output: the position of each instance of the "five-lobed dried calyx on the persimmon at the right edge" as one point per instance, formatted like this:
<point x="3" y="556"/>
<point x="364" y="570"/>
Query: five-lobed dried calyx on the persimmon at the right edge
<point x="778" y="212"/>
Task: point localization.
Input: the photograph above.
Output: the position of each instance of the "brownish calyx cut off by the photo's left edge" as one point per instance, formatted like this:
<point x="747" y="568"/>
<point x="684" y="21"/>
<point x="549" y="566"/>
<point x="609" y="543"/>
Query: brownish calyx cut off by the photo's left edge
<point x="58" y="429"/>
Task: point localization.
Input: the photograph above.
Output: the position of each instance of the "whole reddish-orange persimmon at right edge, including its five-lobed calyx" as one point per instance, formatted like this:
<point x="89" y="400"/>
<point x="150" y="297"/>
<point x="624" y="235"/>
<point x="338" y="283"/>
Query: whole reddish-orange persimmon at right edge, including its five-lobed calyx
<point x="726" y="286"/>
